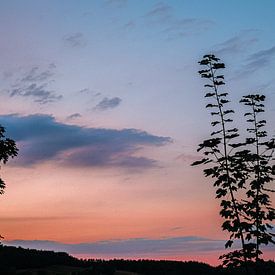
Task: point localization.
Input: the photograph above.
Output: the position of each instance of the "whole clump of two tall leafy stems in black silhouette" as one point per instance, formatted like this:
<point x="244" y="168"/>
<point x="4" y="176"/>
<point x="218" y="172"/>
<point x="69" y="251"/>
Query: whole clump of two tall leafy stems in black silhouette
<point x="241" y="175"/>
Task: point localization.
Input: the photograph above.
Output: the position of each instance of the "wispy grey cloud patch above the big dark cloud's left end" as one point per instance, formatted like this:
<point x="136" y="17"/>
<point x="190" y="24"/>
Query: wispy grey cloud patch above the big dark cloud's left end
<point x="35" y="84"/>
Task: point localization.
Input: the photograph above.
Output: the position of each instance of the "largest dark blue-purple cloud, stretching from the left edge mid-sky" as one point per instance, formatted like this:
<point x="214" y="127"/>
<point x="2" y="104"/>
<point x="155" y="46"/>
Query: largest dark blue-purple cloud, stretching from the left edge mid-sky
<point x="41" y="138"/>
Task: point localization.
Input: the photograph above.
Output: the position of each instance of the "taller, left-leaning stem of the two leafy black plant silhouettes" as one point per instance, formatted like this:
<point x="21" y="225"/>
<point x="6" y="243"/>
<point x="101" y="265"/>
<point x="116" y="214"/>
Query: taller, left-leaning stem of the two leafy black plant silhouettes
<point x="226" y="168"/>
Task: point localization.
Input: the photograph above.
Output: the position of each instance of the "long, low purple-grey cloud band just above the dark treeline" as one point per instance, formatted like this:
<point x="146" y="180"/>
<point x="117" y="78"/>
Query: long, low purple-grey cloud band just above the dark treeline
<point x="139" y="247"/>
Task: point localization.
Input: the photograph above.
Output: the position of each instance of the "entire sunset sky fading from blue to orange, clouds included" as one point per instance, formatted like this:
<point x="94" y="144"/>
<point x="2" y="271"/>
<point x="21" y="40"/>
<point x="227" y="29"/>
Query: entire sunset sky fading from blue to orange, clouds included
<point x="105" y="103"/>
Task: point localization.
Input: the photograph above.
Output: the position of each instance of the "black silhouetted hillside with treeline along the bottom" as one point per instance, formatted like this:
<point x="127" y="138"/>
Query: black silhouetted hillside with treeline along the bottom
<point x="30" y="261"/>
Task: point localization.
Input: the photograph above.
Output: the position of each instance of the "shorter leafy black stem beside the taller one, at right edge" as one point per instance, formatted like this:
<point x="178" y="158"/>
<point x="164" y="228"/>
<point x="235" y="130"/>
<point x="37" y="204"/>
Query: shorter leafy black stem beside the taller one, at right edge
<point x="258" y="156"/>
